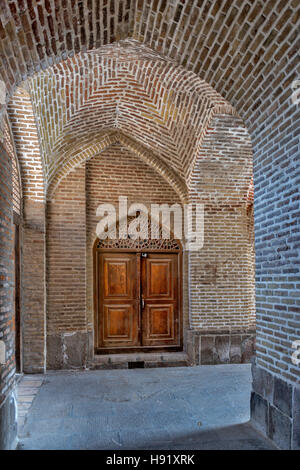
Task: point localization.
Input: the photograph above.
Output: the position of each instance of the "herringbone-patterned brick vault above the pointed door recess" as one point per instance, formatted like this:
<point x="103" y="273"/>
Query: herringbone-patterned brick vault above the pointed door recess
<point x="122" y="87"/>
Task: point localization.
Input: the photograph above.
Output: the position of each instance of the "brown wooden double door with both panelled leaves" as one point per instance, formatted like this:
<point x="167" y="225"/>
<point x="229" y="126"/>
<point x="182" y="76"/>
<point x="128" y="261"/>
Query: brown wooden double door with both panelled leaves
<point x="137" y="301"/>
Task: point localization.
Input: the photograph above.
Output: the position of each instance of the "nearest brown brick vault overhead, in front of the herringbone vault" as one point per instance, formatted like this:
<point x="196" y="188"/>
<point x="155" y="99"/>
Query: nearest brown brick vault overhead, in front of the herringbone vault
<point x="233" y="45"/>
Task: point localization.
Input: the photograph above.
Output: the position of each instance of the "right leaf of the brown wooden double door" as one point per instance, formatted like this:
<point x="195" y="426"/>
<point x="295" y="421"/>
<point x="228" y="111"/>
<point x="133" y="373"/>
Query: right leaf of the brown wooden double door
<point x="160" y="312"/>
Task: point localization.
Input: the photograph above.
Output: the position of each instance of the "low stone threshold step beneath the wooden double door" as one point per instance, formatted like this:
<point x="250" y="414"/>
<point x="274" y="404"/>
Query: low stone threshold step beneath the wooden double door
<point x="139" y="360"/>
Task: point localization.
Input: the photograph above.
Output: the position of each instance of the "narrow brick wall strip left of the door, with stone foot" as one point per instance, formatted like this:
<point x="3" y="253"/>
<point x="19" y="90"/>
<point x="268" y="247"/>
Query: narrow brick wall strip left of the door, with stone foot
<point x="66" y="273"/>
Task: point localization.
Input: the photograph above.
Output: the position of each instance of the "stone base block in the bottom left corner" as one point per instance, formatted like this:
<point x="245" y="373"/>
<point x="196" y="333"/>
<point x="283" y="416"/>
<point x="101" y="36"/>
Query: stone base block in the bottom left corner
<point x="8" y="423"/>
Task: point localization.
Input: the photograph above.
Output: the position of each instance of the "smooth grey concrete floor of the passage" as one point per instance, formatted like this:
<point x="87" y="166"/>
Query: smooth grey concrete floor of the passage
<point x="204" y="407"/>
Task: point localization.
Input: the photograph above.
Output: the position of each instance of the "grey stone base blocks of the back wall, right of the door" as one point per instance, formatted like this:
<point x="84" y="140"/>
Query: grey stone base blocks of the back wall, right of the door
<point x="219" y="348"/>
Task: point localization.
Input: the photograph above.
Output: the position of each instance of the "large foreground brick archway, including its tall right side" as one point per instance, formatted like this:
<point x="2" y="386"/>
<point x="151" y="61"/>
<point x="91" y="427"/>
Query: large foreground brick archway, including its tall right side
<point x="249" y="54"/>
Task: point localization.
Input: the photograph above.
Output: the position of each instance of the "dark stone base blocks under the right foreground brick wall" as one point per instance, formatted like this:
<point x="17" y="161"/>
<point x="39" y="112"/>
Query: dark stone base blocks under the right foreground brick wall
<point x="275" y="408"/>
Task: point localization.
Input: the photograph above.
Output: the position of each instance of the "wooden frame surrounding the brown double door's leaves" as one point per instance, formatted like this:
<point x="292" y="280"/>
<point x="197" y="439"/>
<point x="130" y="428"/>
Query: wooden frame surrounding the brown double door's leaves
<point x="96" y="252"/>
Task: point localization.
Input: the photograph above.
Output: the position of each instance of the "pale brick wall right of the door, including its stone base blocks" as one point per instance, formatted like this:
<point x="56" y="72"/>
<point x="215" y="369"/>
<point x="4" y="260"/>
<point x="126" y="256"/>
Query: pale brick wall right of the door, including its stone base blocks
<point x="221" y="274"/>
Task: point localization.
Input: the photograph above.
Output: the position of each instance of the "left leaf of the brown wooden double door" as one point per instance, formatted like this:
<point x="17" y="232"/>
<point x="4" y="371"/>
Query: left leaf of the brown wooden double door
<point x="118" y="301"/>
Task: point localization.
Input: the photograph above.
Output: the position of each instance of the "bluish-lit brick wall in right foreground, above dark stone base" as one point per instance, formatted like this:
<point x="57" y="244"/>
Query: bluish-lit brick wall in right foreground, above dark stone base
<point x="276" y="203"/>
